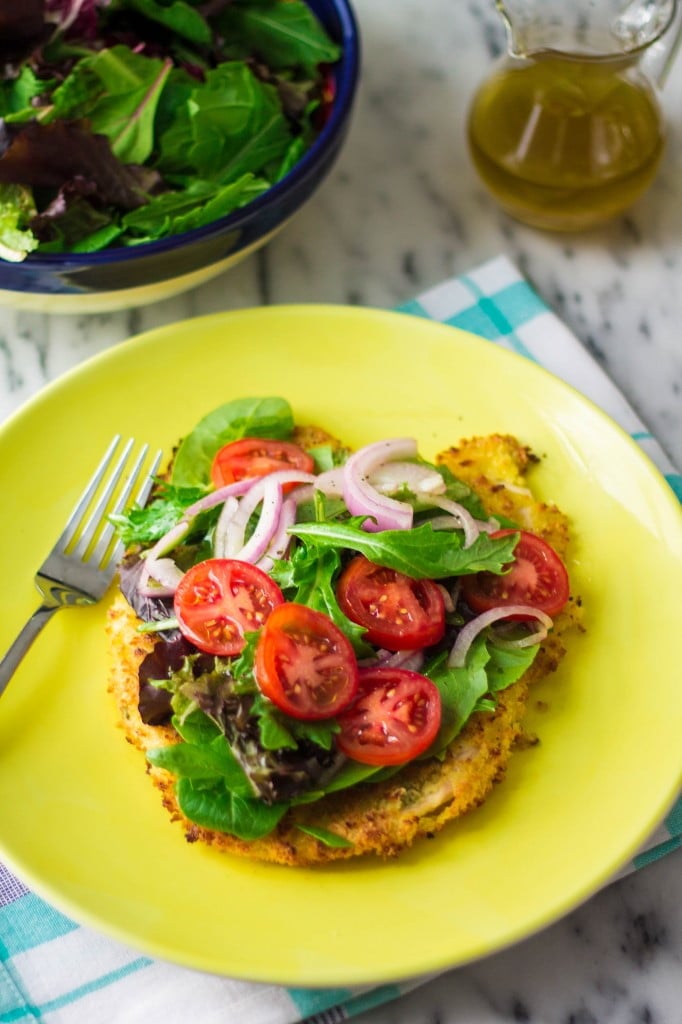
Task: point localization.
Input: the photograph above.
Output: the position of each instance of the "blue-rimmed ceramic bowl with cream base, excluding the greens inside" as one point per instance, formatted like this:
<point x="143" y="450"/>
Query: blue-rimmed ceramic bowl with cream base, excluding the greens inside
<point x="115" y="279"/>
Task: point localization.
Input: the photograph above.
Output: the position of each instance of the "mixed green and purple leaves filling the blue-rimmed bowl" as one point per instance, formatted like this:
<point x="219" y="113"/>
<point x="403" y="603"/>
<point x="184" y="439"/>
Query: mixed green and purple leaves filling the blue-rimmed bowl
<point x="129" y="121"/>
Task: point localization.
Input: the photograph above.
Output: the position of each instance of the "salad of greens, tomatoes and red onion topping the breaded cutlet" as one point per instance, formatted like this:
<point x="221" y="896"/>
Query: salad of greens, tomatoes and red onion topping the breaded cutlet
<point x="322" y="617"/>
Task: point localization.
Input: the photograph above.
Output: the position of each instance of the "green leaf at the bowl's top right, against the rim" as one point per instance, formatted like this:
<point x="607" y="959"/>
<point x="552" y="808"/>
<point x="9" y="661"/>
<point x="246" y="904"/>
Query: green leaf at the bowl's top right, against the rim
<point x="282" y="34"/>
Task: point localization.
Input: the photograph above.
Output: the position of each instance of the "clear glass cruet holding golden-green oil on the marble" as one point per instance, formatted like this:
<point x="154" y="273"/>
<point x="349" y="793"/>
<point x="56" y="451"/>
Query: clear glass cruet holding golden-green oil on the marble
<point x="568" y="132"/>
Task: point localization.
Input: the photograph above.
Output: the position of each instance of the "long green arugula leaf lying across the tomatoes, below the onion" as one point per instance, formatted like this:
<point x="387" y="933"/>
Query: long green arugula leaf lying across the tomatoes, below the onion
<point x="420" y="553"/>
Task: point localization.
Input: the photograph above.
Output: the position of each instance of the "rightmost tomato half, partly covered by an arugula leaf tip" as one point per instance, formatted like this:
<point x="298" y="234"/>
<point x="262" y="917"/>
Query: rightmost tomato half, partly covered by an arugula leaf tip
<point x="538" y="577"/>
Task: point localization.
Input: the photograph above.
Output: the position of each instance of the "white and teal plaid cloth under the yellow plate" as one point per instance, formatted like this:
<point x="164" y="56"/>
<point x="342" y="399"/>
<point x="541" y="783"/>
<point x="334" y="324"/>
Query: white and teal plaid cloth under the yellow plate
<point x="55" y="972"/>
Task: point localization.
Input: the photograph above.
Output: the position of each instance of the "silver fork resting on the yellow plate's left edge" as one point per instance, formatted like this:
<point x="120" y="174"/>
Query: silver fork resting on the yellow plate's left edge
<point x="82" y="564"/>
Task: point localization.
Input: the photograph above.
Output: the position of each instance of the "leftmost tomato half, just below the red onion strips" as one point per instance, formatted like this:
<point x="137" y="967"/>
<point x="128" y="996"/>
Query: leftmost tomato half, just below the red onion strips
<point x="219" y="601"/>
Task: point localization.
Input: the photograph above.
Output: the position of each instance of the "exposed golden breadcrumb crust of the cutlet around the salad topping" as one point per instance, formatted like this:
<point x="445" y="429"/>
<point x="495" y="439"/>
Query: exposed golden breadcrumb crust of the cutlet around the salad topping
<point x="386" y="818"/>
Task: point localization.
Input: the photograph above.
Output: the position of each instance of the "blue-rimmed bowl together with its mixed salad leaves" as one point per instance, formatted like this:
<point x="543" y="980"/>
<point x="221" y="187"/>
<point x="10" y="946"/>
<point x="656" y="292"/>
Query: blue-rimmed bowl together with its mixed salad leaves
<point x="146" y="146"/>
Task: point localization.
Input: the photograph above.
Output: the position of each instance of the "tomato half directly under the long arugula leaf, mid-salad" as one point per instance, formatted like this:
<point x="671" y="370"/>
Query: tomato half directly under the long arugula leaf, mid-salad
<point x="399" y="613"/>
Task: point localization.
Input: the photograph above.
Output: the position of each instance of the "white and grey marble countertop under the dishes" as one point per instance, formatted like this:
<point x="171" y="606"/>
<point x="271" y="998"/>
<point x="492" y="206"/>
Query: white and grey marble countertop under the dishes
<point x="401" y="211"/>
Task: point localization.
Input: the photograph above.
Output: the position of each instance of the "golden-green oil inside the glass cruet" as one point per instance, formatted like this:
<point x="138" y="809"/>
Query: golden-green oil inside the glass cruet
<point x="564" y="144"/>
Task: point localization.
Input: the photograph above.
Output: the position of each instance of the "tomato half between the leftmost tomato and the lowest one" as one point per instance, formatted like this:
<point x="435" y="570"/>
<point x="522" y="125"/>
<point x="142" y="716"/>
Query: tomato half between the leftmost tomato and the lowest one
<point x="305" y="664"/>
